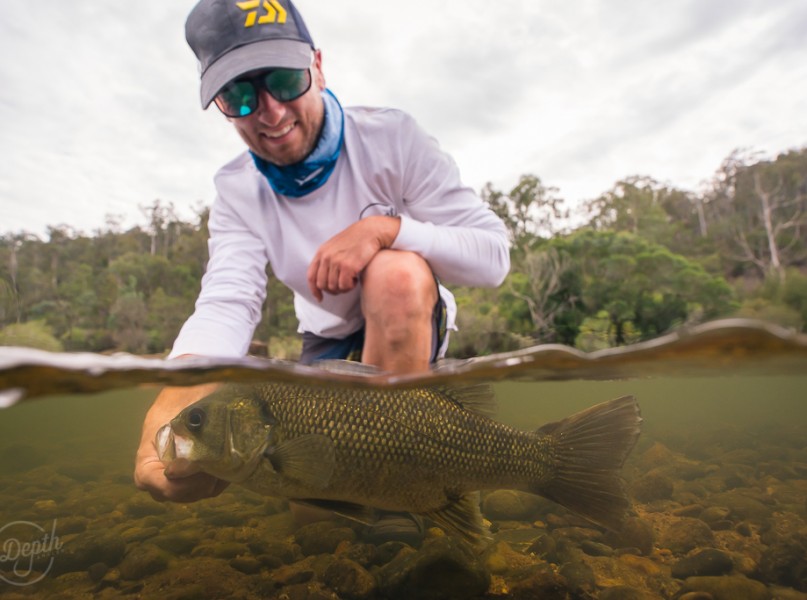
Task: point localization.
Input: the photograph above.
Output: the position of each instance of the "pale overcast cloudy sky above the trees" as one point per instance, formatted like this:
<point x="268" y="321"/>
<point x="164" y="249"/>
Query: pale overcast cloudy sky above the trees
<point x="100" y="112"/>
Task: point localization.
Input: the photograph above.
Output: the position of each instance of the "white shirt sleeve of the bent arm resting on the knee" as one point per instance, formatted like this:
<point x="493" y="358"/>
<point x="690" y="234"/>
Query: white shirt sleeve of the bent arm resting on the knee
<point x="446" y="222"/>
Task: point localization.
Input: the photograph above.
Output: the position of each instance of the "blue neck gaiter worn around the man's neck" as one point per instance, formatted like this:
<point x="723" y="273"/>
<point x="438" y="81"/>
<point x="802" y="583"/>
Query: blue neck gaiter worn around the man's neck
<point x="304" y="177"/>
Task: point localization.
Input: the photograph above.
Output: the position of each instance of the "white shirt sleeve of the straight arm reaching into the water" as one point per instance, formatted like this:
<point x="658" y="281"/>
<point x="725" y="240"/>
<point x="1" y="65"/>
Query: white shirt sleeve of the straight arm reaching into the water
<point x="233" y="289"/>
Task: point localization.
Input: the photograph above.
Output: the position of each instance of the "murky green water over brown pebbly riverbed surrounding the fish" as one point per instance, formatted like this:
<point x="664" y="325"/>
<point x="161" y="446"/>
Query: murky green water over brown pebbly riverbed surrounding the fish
<point x="718" y="479"/>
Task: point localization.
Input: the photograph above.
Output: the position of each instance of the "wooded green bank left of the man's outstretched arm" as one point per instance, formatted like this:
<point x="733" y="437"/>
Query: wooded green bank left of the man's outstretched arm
<point x="113" y="291"/>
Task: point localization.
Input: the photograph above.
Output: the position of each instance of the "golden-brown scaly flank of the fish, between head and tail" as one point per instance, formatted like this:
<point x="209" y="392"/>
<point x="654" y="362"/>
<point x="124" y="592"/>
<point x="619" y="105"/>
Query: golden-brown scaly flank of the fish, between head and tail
<point x="427" y="431"/>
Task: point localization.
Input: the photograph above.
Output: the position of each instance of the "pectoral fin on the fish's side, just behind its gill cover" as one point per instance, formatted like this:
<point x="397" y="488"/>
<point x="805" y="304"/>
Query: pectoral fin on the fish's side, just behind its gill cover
<point x="308" y="459"/>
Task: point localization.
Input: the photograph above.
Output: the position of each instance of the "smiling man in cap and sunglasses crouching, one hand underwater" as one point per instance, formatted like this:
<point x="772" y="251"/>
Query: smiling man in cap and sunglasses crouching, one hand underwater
<point x="357" y="210"/>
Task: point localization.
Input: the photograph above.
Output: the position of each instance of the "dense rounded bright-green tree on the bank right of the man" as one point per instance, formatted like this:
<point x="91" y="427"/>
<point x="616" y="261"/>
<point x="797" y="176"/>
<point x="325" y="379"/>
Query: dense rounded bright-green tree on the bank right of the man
<point x="644" y="289"/>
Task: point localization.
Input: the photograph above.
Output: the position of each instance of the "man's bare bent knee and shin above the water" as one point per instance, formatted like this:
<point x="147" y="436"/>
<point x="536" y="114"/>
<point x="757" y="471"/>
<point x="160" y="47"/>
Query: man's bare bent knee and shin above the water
<point x="398" y="297"/>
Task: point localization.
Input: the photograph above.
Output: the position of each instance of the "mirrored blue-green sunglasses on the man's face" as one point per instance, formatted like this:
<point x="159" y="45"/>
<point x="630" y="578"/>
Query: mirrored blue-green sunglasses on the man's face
<point x="240" y="97"/>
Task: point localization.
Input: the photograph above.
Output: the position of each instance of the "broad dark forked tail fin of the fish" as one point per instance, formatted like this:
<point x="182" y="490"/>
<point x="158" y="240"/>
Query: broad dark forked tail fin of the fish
<point x="589" y="449"/>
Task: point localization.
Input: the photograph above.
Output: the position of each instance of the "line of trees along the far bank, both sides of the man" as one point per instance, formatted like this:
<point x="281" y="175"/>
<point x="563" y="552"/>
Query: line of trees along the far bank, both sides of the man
<point x="642" y="259"/>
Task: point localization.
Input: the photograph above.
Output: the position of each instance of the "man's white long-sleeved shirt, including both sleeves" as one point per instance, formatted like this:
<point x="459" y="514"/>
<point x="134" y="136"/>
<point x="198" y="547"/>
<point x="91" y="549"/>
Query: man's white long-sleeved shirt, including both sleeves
<point x="388" y="166"/>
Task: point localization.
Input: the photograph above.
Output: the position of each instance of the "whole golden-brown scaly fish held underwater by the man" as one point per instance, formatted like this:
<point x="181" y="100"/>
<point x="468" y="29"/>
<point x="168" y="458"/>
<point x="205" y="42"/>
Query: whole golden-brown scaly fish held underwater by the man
<point x="425" y="450"/>
